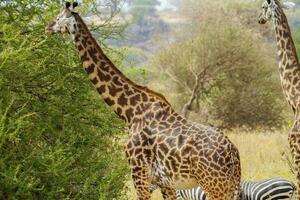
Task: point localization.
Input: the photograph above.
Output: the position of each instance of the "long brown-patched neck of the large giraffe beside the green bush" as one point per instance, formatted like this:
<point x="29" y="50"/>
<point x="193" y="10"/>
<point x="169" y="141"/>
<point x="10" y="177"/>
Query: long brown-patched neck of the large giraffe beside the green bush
<point x="121" y="94"/>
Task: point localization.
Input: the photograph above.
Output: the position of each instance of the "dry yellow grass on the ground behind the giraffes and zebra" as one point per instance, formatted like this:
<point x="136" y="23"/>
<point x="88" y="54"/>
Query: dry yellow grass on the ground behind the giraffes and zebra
<point x="263" y="155"/>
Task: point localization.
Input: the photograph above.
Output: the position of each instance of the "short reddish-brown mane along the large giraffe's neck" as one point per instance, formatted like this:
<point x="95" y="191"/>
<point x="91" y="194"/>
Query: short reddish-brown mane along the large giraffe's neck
<point x="139" y="87"/>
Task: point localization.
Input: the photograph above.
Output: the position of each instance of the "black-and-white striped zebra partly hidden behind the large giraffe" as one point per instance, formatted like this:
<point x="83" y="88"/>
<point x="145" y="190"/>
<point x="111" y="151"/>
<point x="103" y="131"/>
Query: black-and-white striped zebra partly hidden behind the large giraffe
<point x="270" y="189"/>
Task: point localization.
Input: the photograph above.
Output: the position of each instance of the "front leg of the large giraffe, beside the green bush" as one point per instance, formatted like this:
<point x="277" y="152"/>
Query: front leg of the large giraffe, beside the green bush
<point x="141" y="182"/>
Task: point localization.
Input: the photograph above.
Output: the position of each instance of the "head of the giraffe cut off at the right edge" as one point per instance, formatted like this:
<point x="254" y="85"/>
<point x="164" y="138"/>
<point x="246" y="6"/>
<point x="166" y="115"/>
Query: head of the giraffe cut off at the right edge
<point x="269" y="8"/>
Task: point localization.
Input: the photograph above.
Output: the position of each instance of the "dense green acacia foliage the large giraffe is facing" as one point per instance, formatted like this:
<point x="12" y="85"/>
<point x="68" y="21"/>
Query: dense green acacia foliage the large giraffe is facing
<point x="58" y="140"/>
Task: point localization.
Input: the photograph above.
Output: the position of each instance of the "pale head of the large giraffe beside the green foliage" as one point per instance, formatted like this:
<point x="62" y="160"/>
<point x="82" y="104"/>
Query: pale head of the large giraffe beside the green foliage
<point x="64" y="20"/>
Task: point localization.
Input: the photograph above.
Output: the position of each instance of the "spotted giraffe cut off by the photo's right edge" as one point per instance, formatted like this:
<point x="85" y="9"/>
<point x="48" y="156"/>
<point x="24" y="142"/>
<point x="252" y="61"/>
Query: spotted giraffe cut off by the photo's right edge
<point x="289" y="70"/>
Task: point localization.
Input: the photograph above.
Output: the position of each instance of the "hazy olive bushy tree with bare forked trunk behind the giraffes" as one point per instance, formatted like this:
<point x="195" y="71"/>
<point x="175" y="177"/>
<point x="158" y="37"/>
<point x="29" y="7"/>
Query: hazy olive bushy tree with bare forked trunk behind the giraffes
<point x="224" y="69"/>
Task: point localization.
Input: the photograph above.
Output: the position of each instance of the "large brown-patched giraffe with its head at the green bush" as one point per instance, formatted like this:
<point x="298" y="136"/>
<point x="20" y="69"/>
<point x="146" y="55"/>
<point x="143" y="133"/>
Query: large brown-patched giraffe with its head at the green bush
<point x="163" y="148"/>
